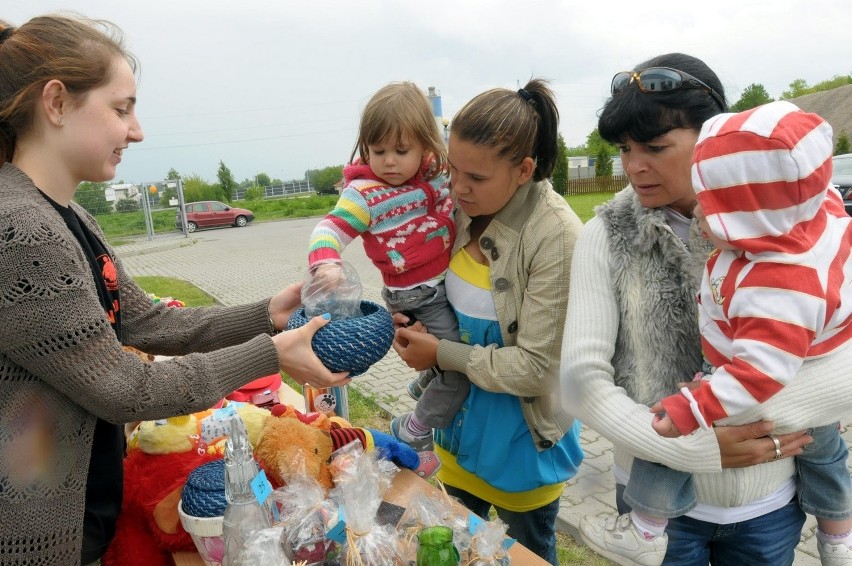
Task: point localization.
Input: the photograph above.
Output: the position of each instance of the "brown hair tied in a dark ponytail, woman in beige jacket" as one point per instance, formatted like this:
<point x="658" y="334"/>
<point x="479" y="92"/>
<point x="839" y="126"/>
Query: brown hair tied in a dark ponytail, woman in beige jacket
<point x="520" y="124"/>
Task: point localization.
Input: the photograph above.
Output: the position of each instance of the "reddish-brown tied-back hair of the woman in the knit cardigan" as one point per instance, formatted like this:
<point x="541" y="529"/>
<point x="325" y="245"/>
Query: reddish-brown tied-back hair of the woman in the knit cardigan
<point x="73" y="49"/>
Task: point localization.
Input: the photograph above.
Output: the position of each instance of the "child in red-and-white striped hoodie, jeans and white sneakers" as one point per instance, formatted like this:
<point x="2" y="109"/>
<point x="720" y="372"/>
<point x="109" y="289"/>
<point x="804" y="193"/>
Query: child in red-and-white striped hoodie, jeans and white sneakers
<point x="775" y="294"/>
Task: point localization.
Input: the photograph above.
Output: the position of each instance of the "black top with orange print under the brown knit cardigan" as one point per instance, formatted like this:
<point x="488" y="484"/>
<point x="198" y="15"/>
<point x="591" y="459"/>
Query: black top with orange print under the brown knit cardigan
<point x="104" y="483"/>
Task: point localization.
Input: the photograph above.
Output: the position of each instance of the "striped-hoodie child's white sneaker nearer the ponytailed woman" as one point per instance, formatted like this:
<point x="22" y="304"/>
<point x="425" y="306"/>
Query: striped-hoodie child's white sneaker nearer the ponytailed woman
<point x="616" y="538"/>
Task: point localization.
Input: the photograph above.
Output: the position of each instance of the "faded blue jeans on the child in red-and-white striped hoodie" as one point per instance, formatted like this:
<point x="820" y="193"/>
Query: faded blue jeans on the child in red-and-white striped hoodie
<point x="823" y="481"/>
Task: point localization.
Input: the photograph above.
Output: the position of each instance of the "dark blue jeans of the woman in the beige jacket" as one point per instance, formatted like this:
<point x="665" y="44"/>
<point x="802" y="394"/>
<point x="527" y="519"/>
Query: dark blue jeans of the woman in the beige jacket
<point x="534" y="529"/>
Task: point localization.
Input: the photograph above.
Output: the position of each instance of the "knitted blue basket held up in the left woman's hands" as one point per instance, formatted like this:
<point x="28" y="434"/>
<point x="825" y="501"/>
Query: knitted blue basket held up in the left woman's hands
<point x="351" y="344"/>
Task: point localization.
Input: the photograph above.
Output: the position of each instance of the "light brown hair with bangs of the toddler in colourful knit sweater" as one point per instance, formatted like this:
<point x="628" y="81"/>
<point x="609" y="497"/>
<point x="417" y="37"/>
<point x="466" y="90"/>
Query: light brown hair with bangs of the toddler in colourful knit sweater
<point x="398" y="110"/>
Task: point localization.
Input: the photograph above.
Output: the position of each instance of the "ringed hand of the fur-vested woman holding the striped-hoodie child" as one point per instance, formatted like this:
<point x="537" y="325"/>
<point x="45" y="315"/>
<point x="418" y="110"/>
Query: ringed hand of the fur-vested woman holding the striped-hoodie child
<point x="747" y="445"/>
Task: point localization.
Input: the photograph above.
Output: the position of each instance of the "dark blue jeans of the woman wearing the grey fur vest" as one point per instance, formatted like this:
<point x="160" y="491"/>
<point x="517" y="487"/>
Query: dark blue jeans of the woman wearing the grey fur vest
<point x="769" y="539"/>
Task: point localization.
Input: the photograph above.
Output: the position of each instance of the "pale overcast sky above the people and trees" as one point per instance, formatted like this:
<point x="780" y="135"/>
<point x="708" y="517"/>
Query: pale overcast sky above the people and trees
<point x="277" y="86"/>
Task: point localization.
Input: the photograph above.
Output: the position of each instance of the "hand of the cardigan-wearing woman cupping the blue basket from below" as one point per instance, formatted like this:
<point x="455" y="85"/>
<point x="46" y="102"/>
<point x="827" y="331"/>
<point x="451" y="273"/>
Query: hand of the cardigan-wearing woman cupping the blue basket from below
<point x="296" y="356"/>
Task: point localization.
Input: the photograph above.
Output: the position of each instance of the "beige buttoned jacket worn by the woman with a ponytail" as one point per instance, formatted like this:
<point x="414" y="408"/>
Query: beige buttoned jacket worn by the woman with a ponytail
<point x="529" y="244"/>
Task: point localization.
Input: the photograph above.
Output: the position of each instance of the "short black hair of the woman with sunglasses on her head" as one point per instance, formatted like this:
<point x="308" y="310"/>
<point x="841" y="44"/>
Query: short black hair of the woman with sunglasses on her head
<point x="644" y="116"/>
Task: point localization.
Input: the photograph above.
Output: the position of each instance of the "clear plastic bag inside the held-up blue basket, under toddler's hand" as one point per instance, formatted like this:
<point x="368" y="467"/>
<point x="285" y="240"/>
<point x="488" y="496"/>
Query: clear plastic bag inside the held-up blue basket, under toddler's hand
<point x="332" y="287"/>
